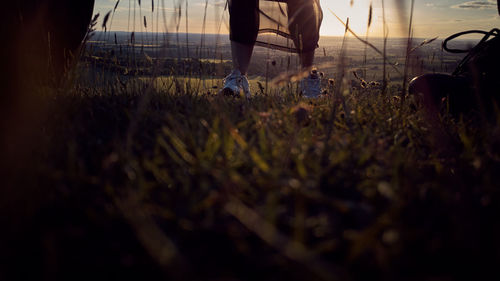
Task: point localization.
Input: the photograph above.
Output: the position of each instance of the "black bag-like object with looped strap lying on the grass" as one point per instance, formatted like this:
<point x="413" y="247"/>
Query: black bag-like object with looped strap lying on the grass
<point x="473" y="86"/>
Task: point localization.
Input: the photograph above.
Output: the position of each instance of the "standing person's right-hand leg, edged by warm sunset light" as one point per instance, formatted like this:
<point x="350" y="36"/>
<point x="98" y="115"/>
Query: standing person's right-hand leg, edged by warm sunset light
<point x="304" y="21"/>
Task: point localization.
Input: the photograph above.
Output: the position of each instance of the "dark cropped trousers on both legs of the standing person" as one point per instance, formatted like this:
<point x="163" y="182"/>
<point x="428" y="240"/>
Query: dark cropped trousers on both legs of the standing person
<point x="303" y="22"/>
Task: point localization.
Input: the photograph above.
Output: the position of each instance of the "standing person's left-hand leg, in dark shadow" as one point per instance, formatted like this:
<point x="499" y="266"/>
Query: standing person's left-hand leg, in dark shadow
<point x="244" y="26"/>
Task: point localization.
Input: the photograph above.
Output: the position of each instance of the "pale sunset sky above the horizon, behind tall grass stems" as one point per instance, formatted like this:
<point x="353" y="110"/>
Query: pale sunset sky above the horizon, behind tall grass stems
<point x="431" y="18"/>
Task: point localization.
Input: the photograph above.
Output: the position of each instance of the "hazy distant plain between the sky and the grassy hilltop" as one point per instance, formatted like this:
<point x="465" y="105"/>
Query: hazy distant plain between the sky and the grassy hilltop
<point x="208" y="56"/>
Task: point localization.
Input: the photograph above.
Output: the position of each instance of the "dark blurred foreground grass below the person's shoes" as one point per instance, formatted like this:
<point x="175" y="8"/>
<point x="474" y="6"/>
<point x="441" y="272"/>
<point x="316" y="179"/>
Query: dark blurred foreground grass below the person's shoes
<point x="142" y="183"/>
